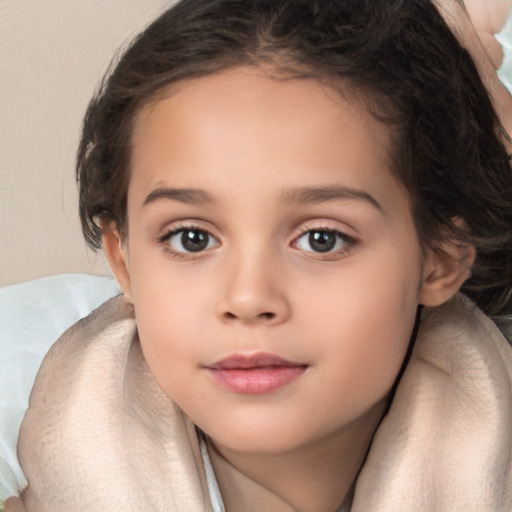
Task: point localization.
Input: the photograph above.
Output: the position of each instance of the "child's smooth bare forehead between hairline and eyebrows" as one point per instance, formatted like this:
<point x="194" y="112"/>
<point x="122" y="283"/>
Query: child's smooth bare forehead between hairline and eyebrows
<point x="257" y="129"/>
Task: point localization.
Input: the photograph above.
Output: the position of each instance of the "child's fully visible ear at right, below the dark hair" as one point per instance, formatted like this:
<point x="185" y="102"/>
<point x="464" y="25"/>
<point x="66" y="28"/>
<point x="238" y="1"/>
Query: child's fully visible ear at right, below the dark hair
<point x="444" y="272"/>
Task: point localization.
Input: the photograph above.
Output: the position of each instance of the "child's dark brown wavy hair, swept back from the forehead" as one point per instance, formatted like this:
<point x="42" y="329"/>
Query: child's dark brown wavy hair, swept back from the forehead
<point x="397" y="56"/>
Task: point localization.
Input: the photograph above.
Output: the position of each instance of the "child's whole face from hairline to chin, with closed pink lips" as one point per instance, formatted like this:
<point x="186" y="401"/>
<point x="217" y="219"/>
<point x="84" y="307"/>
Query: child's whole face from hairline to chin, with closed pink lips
<point x="271" y="258"/>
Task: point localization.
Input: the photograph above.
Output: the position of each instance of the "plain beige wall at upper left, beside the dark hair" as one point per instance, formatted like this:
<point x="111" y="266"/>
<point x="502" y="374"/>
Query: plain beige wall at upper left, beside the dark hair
<point x="52" y="54"/>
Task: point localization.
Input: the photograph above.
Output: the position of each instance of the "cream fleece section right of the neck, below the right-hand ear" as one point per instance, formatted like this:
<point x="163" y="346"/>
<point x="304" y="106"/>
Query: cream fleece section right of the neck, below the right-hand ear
<point x="449" y="422"/>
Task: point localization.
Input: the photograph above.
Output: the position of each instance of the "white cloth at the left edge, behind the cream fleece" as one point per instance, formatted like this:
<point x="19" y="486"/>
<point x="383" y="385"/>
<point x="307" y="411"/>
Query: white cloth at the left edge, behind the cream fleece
<point x="33" y="314"/>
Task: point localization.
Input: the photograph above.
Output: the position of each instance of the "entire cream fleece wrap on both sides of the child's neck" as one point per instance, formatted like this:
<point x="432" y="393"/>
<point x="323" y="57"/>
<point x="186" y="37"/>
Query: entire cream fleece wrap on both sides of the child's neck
<point x="101" y="435"/>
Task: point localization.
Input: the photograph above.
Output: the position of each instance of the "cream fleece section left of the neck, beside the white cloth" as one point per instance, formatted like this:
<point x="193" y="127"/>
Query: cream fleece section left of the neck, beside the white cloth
<point x="100" y="433"/>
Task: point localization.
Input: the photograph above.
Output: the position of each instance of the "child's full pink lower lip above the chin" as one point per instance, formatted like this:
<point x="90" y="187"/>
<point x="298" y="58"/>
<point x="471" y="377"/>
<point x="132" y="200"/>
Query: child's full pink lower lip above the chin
<point x="256" y="381"/>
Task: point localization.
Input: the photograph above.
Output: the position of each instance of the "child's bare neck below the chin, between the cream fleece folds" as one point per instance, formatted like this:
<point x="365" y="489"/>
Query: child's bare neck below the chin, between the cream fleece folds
<point x="314" y="477"/>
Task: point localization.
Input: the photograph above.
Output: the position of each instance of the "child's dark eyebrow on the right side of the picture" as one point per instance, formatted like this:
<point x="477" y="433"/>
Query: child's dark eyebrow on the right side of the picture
<point x="324" y="194"/>
